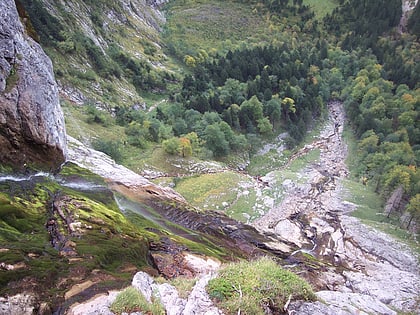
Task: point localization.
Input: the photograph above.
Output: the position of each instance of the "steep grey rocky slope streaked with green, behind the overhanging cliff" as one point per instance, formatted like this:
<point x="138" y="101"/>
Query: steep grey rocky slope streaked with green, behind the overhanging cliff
<point x="108" y="51"/>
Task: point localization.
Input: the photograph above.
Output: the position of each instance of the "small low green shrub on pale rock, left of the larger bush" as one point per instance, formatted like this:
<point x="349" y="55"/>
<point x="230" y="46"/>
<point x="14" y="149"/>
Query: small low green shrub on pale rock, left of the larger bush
<point x="131" y="300"/>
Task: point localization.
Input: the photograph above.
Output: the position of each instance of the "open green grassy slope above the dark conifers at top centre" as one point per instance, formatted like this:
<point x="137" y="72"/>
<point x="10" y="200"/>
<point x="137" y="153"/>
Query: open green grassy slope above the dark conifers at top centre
<point x="187" y="28"/>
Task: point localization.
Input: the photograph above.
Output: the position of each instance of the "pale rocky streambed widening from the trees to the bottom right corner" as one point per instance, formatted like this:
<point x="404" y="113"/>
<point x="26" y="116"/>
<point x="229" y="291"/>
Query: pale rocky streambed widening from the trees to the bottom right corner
<point x="363" y="270"/>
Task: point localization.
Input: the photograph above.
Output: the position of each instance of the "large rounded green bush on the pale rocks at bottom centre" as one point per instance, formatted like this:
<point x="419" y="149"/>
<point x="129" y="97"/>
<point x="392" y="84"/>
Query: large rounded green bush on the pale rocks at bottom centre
<point x="252" y="287"/>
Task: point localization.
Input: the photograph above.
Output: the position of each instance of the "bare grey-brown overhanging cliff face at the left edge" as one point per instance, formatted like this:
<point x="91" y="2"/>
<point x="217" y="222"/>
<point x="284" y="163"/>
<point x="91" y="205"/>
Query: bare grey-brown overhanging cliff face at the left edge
<point x="31" y="121"/>
